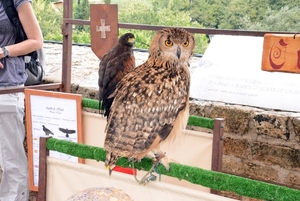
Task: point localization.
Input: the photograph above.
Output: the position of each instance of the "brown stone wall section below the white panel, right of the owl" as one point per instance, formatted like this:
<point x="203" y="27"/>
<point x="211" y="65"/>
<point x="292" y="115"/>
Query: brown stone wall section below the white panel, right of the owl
<point x="259" y="144"/>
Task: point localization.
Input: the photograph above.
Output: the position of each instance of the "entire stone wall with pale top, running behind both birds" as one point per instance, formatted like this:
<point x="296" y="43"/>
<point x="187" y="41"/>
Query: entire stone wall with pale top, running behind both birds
<point x="260" y="144"/>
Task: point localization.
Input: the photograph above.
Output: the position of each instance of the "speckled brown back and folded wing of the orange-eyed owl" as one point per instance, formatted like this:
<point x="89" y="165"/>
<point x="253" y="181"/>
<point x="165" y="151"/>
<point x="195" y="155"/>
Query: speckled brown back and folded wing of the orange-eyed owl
<point x="146" y="106"/>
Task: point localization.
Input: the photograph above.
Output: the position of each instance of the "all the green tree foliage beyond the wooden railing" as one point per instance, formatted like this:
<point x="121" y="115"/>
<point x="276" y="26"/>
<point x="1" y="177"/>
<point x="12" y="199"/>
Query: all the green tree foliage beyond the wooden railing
<point x="266" y="15"/>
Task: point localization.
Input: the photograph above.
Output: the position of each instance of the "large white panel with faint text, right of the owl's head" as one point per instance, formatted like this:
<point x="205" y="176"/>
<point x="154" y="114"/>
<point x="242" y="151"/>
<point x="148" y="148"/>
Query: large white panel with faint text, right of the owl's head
<point x="230" y="71"/>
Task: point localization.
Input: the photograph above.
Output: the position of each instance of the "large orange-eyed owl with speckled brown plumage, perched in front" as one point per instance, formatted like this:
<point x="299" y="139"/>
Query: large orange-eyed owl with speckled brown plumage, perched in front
<point x="151" y="103"/>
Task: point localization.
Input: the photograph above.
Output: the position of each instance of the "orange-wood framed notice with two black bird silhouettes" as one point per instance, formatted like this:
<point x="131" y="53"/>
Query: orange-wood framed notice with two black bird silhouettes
<point x="55" y="110"/>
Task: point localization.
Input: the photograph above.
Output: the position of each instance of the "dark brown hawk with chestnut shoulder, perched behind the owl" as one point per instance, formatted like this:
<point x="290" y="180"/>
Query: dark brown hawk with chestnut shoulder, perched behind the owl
<point x="114" y="65"/>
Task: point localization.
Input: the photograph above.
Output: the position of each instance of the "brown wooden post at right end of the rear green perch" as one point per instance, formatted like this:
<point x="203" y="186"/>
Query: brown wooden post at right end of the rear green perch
<point x="217" y="147"/>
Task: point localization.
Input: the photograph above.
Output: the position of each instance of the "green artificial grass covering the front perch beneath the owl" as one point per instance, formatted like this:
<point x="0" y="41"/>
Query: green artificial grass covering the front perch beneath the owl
<point x="211" y="179"/>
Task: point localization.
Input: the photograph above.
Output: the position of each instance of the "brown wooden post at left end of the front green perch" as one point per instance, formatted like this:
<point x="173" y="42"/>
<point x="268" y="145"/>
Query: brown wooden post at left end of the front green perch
<point x="44" y="152"/>
